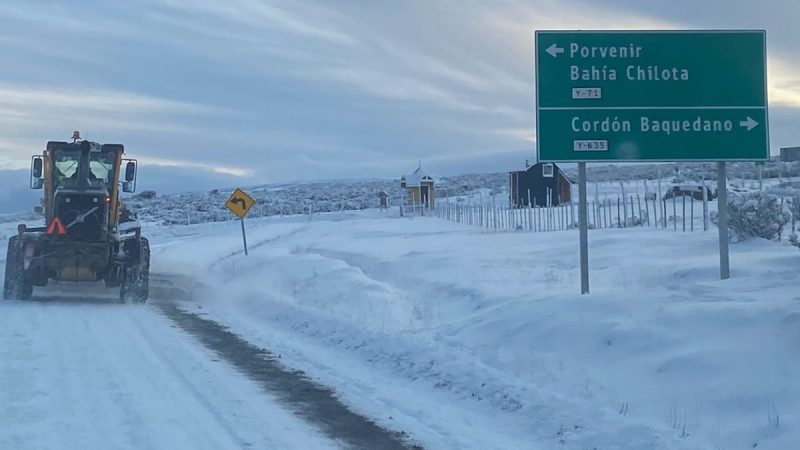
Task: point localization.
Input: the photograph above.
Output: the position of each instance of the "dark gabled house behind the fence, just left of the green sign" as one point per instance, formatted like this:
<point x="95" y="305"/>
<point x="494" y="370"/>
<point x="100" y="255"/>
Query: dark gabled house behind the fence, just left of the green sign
<point x="541" y="184"/>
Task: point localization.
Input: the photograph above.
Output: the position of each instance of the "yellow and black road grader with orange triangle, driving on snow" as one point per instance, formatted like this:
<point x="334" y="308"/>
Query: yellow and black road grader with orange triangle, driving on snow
<point x="88" y="236"/>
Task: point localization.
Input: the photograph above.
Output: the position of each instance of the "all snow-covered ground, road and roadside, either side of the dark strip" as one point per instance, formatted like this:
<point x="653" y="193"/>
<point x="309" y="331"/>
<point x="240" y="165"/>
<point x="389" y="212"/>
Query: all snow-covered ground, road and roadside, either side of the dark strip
<point x="461" y="338"/>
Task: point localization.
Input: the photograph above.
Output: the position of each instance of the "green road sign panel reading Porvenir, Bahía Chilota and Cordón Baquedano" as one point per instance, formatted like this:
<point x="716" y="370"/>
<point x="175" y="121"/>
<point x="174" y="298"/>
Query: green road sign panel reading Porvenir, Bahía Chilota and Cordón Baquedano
<point x="651" y="95"/>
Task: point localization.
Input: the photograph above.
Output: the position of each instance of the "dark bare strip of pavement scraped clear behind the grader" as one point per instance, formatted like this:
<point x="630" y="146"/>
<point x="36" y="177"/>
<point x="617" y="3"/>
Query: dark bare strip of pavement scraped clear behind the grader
<point x="307" y="399"/>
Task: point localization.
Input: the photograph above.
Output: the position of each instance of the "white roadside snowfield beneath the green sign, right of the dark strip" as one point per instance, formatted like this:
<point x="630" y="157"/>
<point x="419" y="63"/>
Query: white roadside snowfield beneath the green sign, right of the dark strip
<point x="469" y="339"/>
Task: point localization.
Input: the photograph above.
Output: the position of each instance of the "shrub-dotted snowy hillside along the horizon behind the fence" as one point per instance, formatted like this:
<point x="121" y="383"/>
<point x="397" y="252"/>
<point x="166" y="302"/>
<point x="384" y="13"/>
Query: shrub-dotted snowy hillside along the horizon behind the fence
<point x="348" y="195"/>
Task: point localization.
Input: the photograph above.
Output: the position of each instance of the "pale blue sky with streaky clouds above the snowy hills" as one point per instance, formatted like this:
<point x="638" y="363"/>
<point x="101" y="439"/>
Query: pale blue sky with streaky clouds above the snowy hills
<point x="258" y="91"/>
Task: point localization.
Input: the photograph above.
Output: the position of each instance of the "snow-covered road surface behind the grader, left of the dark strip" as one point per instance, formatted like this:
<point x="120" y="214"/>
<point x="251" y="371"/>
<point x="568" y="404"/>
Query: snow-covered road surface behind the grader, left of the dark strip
<point x="85" y="373"/>
